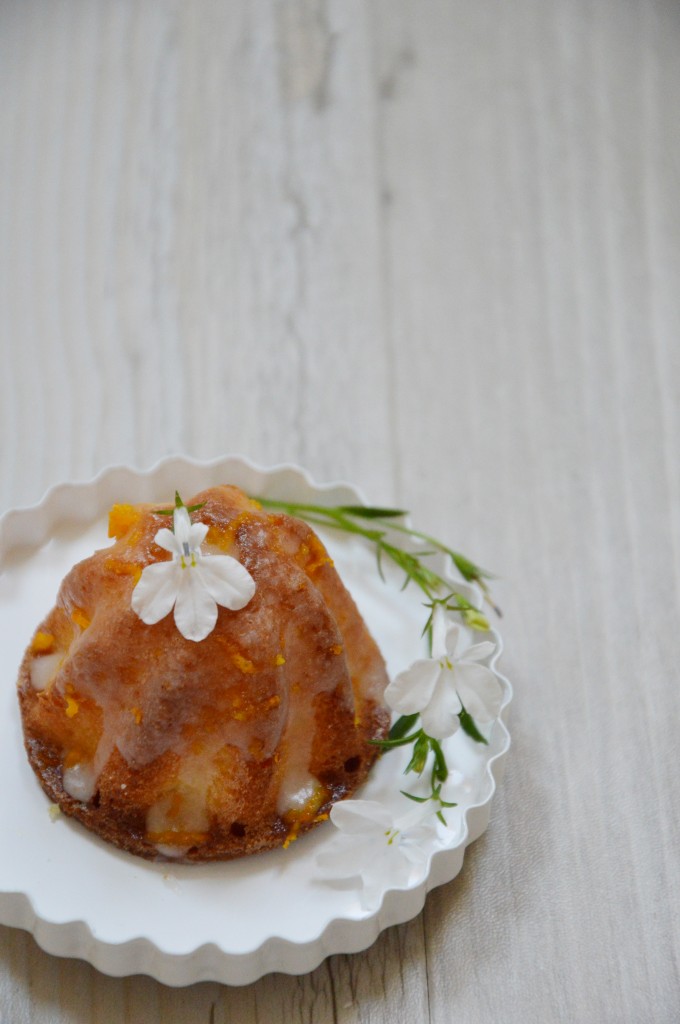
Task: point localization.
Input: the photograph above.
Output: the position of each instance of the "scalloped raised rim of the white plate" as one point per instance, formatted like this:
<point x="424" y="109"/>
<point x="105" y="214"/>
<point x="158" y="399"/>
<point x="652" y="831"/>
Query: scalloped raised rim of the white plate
<point x="276" y="953"/>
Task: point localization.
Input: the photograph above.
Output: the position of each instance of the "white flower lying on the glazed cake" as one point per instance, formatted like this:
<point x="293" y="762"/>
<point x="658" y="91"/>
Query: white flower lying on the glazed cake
<point x="194" y="583"/>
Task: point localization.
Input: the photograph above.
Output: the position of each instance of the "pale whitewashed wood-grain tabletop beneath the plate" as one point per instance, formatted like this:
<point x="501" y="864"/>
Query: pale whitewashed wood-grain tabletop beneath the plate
<point x="434" y="248"/>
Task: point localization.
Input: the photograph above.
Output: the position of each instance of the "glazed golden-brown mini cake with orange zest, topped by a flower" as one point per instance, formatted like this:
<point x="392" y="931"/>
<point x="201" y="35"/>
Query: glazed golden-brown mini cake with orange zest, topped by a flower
<point x="214" y="746"/>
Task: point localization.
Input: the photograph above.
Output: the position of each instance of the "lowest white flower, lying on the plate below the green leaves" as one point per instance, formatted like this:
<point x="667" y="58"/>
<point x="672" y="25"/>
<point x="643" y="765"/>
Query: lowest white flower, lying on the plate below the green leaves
<point x="375" y="845"/>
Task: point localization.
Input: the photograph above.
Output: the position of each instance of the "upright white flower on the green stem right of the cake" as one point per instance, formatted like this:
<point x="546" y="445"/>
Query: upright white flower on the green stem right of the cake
<point x="439" y="688"/>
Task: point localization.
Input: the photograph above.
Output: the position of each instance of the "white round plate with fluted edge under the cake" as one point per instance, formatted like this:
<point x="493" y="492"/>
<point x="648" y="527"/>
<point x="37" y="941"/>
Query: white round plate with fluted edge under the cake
<point x="232" y="922"/>
